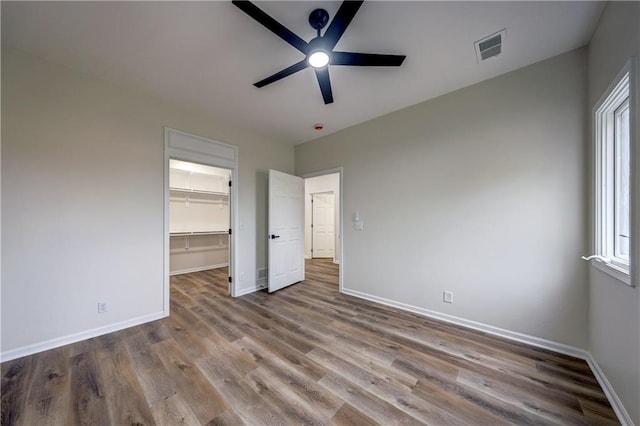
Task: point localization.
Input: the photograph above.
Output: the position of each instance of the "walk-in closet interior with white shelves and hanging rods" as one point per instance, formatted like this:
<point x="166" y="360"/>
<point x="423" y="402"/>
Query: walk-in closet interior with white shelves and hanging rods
<point x="199" y="217"/>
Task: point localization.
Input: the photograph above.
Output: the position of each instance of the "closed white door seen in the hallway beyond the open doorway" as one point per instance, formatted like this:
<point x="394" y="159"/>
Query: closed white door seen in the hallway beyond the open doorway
<point x="322" y="225"/>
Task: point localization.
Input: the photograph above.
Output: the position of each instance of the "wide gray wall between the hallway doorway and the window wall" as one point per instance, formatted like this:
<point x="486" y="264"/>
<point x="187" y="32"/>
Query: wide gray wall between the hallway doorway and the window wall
<point x="481" y="192"/>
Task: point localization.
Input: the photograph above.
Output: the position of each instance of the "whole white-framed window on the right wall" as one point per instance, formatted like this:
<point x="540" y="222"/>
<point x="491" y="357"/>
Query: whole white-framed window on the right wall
<point x="613" y="179"/>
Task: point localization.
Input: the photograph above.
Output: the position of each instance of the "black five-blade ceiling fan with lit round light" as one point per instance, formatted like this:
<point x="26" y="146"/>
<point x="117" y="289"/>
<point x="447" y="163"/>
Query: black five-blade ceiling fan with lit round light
<point x="319" y="53"/>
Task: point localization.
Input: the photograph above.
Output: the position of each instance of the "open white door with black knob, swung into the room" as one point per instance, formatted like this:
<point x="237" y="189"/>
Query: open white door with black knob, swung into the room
<point x="286" y="230"/>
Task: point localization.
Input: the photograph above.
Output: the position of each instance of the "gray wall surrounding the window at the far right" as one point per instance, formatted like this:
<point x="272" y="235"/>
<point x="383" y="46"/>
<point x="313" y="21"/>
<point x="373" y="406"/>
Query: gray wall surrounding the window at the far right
<point x="614" y="307"/>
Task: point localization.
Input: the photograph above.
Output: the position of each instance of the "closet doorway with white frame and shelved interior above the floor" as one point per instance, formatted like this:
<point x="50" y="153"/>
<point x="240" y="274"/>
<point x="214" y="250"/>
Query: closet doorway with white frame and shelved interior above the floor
<point x="201" y="197"/>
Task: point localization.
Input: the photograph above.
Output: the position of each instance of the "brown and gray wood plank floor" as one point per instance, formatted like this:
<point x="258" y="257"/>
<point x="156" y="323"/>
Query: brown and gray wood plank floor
<point x="303" y="355"/>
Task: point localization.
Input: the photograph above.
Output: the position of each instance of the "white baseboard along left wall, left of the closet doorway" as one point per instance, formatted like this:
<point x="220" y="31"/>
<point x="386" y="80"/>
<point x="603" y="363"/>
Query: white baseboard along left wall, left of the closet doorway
<point x="76" y="337"/>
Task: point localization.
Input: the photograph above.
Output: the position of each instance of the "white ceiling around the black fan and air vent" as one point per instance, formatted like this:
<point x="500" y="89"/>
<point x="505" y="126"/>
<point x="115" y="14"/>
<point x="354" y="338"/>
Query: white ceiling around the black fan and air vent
<point x="206" y="55"/>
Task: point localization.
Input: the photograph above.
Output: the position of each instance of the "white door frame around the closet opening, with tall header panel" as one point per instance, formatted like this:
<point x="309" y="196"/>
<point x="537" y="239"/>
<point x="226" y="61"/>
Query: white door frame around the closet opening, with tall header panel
<point x="179" y="145"/>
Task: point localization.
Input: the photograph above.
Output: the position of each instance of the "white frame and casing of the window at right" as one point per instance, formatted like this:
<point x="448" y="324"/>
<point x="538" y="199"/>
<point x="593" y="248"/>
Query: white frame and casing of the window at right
<point x="622" y="89"/>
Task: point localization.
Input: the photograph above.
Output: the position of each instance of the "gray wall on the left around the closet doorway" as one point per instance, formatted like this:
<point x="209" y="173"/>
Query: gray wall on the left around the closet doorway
<point x="82" y="200"/>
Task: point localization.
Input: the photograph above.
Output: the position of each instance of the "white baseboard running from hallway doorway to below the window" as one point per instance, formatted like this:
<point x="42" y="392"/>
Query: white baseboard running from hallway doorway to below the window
<point x="616" y="404"/>
